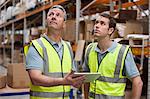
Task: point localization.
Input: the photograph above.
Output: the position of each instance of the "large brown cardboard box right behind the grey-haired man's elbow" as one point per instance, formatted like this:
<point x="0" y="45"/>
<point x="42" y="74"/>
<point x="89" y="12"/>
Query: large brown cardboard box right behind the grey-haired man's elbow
<point x="17" y="76"/>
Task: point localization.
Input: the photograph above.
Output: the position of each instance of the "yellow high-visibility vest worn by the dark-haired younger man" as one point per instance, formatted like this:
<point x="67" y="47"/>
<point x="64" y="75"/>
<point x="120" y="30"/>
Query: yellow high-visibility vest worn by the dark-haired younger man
<point x="111" y="81"/>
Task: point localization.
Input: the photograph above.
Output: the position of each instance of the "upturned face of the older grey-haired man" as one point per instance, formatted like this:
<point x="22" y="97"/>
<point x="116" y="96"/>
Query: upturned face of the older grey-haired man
<point x="55" y="19"/>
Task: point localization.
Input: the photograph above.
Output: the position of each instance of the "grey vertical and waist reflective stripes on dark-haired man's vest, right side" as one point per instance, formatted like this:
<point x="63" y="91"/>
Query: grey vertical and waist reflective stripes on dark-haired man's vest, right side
<point x="116" y="78"/>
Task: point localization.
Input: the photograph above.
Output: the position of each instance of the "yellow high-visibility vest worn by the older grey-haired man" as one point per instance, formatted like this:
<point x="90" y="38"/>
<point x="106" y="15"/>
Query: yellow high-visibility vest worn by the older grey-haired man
<point x="52" y="68"/>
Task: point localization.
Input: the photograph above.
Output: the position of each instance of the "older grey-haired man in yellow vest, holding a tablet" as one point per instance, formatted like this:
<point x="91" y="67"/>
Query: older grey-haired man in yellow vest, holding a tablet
<point x="49" y="60"/>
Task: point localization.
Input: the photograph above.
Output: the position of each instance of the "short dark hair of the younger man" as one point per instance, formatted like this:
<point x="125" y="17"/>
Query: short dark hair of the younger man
<point x="112" y="22"/>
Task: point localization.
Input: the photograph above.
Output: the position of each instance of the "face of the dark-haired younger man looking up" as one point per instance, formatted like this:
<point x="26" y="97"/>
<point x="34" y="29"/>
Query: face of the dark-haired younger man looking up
<point x="101" y="27"/>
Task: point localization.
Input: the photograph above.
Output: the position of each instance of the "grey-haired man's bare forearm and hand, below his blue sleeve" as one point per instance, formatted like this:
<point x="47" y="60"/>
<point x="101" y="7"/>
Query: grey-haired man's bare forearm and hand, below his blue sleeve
<point x="39" y="79"/>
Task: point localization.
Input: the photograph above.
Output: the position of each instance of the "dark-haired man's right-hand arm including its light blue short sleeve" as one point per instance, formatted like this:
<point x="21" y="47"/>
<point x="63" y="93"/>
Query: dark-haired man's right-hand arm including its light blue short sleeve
<point x="133" y="74"/>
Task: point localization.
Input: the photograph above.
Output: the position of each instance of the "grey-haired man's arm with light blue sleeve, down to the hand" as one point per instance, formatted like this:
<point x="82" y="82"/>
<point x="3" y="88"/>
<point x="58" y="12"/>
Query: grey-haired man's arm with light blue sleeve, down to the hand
<point x="34" y="66"/>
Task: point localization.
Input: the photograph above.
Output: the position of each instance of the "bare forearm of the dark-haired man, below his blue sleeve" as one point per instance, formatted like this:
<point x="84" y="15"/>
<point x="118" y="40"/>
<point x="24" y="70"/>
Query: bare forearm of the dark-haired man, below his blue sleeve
<point x="136" y="87"/>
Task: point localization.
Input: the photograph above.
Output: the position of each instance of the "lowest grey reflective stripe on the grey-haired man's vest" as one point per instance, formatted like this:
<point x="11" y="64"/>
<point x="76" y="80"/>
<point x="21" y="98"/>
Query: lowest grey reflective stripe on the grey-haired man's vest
<point x="48" y="94"/>
